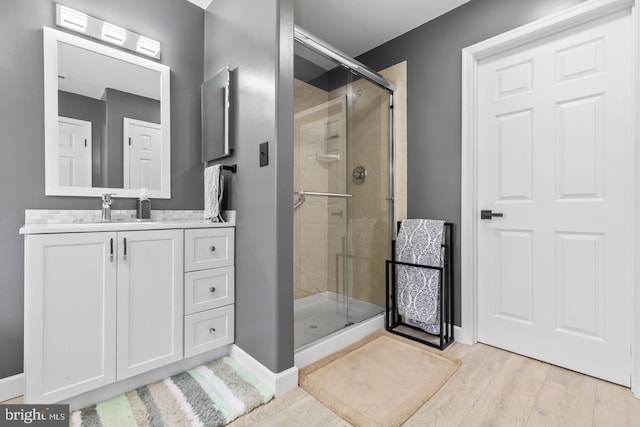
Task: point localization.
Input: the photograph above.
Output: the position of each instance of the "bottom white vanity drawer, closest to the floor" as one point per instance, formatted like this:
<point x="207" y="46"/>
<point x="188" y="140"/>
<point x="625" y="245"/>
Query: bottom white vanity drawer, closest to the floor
<point x="208" y="330"/>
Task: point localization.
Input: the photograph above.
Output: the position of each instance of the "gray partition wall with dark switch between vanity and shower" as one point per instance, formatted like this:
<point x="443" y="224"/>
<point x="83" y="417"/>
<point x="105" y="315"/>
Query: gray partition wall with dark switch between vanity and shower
<point x="257" y="43"/>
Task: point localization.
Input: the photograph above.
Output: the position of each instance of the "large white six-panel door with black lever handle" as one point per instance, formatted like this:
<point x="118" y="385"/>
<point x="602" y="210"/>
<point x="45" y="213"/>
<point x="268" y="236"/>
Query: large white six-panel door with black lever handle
<point x="555" y="157"/>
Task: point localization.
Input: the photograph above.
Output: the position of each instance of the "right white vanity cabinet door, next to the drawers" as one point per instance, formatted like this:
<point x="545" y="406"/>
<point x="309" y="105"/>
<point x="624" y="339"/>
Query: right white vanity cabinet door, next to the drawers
<point x="150" y="300"/>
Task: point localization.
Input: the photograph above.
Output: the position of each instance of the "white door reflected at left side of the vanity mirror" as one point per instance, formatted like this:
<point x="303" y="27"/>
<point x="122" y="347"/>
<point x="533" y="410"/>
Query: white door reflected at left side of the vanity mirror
<point x="74" y="152"/>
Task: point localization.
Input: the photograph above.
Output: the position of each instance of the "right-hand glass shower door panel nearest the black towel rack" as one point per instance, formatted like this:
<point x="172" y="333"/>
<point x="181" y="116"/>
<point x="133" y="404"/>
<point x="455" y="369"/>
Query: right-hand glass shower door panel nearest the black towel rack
<point x="370" y="208"/>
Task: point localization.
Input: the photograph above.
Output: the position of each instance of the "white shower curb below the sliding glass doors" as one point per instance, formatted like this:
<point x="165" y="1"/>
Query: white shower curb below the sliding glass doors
<point x="337" y="341"/>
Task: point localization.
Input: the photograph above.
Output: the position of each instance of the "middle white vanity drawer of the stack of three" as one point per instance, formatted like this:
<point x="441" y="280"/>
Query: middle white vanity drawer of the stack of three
<point x="207" y="289"/>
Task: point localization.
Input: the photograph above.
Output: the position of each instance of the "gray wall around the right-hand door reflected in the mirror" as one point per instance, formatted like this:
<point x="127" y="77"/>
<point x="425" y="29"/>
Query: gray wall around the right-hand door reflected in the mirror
<point x="118" y="106"/>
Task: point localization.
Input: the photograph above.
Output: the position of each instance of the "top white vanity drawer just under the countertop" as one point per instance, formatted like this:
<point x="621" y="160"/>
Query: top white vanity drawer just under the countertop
<point x="208" y="248"/>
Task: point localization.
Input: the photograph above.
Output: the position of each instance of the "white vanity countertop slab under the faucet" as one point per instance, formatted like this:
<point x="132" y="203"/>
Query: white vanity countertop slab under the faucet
<point x="119" y="226"/>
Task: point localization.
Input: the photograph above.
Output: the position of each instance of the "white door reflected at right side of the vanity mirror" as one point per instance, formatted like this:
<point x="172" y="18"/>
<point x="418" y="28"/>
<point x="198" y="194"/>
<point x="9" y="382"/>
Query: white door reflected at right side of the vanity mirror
<point x="142" y="154"/>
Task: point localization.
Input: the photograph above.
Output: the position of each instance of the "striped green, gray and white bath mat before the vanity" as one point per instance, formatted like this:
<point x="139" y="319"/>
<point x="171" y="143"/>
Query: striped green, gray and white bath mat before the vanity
<point x="210" y="395"/>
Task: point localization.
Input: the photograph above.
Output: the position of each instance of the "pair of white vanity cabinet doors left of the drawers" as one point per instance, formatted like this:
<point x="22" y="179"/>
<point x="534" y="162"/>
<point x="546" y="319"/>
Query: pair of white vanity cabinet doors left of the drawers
<point x="100" y="307"/>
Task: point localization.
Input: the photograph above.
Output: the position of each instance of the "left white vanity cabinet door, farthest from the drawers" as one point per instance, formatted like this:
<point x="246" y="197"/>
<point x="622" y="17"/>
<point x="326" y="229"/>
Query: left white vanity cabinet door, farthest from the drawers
<point x="70" y="298"/>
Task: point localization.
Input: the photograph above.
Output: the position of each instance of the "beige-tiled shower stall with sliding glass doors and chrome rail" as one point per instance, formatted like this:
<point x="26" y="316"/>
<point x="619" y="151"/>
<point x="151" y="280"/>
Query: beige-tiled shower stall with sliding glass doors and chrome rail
<point x="343" y="190"/>
